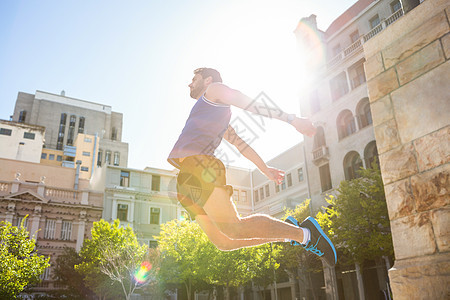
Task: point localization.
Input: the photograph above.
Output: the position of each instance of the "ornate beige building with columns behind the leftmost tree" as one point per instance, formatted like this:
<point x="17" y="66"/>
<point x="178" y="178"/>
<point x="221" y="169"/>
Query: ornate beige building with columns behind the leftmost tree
<point x="59" y="215"/>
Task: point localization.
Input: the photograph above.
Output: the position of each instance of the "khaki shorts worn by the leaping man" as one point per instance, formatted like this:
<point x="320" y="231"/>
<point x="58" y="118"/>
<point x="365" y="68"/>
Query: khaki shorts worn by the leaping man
<point x="199" y="176"/>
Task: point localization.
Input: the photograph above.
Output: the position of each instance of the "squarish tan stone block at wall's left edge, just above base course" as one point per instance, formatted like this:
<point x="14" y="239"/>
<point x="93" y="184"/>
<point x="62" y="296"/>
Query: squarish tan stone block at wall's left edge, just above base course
<point x="413" y="236"/>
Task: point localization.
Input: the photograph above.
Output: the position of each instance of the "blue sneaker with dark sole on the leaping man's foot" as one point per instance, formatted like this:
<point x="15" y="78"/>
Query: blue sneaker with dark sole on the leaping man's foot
<point x="319" y="243"/>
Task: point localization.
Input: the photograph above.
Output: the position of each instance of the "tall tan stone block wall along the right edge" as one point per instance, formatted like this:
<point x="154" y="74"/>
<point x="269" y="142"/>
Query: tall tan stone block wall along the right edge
<point x="408" y="75"/>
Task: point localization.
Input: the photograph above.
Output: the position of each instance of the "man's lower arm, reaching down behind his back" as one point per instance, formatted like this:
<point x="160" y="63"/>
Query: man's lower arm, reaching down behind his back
<point x="248" y="152"/>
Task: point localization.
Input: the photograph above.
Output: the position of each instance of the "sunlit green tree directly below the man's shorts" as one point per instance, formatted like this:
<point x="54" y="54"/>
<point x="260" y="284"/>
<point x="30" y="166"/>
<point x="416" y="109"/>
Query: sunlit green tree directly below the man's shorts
<point x="185" y="251"/>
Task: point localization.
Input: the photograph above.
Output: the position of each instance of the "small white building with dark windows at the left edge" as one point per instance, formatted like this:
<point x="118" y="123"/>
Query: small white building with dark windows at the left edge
<point x="21" y="141"/>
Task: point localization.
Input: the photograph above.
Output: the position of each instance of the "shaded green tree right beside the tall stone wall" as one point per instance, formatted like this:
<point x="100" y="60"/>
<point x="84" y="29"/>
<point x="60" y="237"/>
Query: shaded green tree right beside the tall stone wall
<point x="357" y="220"/>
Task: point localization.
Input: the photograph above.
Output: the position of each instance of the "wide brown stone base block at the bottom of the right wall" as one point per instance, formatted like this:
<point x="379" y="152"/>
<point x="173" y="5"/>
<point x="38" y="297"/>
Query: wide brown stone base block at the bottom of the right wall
<point x="421" y="278"/>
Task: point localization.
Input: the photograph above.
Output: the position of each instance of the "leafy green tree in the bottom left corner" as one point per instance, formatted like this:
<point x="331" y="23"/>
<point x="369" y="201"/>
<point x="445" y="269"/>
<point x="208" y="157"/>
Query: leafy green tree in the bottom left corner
<point x="20" y="265"/>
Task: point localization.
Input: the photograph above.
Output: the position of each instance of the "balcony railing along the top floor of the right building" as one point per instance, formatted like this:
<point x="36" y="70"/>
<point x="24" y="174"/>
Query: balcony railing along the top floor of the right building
<point x="357" y="45"/>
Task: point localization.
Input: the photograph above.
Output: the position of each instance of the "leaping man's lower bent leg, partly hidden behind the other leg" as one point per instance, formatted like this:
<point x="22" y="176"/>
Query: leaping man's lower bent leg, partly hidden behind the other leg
<point x="222" y="241"/>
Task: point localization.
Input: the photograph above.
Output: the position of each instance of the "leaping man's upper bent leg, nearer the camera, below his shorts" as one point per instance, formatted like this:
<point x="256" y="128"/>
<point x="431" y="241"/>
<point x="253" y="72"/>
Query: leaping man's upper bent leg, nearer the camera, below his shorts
<point x="222" y="211"/>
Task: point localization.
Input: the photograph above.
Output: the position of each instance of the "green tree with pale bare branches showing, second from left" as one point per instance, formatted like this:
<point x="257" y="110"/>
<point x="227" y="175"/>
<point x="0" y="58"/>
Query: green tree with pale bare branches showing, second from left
<point x="113" y="251"/>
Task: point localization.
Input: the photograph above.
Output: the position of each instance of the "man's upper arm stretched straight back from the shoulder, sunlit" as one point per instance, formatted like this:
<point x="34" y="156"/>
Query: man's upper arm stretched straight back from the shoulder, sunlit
<point x="220" y="93"/>
